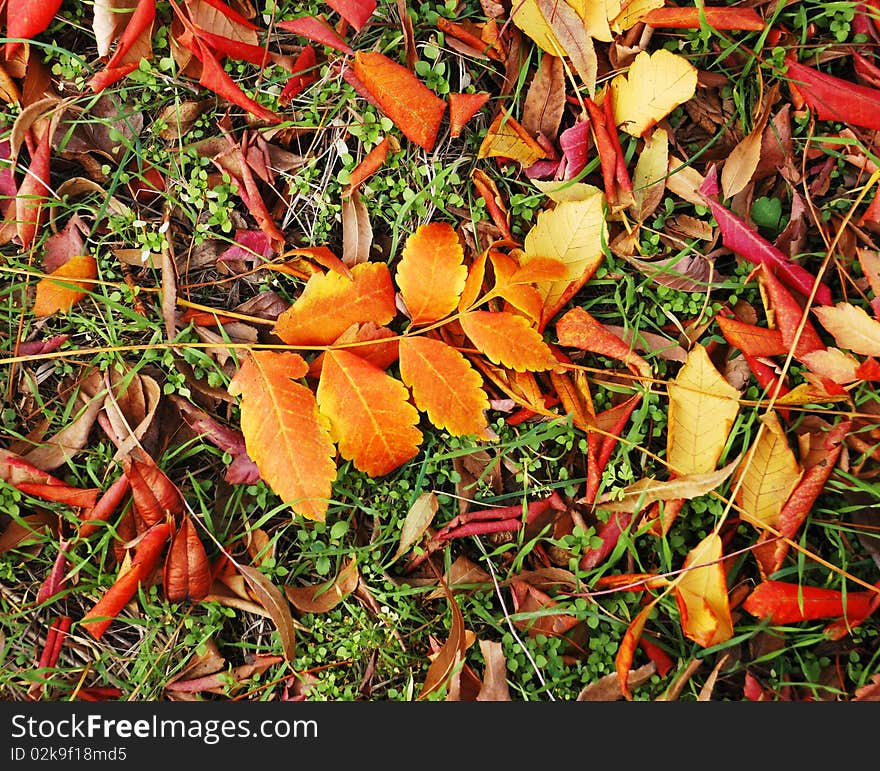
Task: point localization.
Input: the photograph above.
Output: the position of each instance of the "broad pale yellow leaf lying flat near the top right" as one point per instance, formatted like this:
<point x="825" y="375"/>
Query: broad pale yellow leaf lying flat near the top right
<point x="654" y="86"/>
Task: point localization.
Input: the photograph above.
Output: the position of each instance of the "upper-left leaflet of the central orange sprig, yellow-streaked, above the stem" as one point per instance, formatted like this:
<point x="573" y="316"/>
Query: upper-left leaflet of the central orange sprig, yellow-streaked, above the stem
<point x="331" y="303"/>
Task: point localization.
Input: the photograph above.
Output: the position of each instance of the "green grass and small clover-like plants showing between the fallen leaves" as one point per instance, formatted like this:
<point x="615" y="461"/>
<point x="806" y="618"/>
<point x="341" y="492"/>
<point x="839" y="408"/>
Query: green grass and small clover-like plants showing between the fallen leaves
<point x="374" y="645"/>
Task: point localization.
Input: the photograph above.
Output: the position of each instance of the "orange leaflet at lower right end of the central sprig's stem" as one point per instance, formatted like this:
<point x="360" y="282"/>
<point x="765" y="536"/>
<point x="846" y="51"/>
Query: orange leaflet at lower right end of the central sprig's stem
<point x="509" y="340"/>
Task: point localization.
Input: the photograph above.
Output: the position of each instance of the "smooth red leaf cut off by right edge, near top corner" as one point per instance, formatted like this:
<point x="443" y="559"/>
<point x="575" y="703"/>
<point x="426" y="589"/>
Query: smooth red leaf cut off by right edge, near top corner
<point x="834" y="98"/>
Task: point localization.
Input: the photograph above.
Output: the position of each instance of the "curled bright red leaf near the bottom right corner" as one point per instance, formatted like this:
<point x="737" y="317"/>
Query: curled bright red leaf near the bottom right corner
<point x="787" y="603"/>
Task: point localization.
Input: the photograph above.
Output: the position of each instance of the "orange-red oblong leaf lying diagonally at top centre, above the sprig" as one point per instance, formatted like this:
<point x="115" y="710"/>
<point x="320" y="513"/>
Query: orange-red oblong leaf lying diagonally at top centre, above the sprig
<point x="415" y="109"/>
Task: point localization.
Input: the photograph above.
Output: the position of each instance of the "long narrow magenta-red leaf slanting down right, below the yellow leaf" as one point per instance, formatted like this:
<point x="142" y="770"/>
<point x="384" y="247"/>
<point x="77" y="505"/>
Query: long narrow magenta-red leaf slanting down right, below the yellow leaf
<point x="746" y="242"/>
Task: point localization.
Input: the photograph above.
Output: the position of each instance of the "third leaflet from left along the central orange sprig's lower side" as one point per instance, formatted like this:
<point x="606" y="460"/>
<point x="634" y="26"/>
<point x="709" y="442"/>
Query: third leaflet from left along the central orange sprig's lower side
<point x="444" y="385"/>
